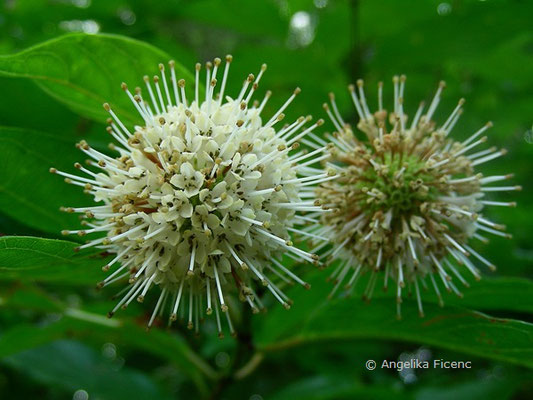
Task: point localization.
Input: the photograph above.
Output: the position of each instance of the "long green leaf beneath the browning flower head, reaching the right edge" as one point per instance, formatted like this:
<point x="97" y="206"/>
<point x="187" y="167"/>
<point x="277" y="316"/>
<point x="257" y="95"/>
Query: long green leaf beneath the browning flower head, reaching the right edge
<point x="315" y="319"/>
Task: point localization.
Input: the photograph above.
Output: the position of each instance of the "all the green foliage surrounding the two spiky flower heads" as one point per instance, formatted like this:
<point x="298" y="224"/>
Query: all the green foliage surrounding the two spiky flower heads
<point x="53" y="324"/>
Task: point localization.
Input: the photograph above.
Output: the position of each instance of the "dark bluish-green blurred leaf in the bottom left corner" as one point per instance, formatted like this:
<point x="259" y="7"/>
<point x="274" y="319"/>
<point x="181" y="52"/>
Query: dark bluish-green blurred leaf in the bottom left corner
<point x="100" y="377"/>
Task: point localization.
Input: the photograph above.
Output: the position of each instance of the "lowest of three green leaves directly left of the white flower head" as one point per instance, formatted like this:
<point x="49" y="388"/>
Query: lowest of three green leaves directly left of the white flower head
<point x="49" y="260"/>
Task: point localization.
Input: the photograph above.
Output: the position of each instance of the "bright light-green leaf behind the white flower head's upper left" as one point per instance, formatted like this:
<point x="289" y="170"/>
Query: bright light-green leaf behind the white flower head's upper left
<point x="85" y="71"/>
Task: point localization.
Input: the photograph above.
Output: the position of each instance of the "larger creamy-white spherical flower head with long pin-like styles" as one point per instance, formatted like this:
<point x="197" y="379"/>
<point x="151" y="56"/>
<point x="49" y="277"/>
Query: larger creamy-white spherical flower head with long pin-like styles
<point x="202" y="198"/>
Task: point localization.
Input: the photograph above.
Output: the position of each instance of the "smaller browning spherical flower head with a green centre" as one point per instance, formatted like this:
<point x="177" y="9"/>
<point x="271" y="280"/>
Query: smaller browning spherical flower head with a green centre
<point x="408" y="199"/>
